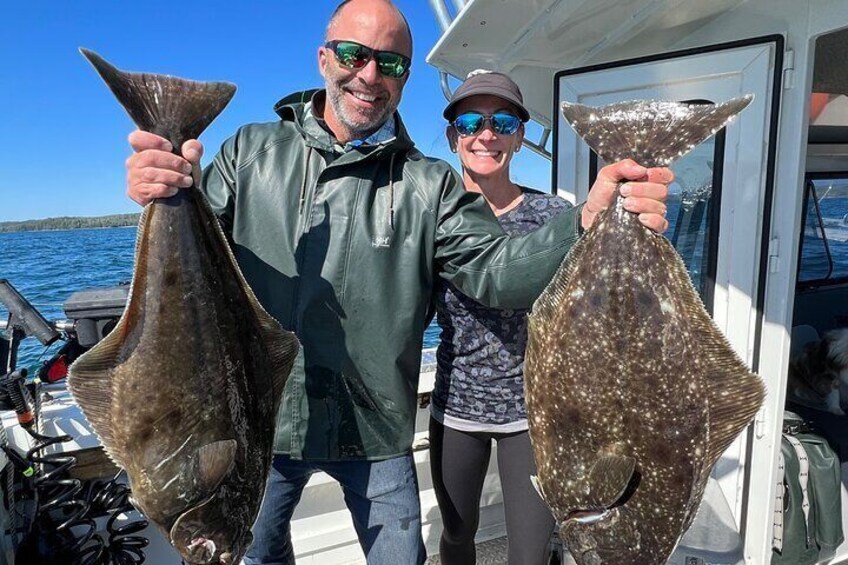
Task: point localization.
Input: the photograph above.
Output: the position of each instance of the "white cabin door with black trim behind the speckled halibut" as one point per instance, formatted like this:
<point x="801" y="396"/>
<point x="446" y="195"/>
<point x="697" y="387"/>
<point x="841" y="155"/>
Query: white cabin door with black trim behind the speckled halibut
<point x="718" y="211"/>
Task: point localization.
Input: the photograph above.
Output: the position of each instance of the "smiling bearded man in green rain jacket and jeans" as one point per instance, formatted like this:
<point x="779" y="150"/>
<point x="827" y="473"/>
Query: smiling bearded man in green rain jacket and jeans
<point x="341" y="226"/>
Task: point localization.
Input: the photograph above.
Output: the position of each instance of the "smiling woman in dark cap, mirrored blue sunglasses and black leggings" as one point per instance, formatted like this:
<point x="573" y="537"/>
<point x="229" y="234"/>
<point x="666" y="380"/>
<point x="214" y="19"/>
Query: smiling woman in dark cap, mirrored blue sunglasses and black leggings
<point x="479" y="391"/>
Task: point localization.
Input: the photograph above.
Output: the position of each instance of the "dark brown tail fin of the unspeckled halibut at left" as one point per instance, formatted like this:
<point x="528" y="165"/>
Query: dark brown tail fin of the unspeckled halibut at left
<point x="171" y="107"/>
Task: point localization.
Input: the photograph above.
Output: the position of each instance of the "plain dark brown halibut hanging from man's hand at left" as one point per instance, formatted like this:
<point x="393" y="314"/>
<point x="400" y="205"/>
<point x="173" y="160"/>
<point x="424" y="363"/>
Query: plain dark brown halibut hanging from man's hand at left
<point x="183" y="393"/>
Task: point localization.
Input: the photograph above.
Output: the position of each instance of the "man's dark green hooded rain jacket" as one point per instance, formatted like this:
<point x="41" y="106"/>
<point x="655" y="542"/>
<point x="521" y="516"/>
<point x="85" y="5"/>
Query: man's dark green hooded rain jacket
<point x="344" y="249"/>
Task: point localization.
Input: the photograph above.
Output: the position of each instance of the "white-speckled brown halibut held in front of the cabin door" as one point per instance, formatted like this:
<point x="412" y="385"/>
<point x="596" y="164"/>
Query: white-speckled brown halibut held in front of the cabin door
<point x="632" y="391"/>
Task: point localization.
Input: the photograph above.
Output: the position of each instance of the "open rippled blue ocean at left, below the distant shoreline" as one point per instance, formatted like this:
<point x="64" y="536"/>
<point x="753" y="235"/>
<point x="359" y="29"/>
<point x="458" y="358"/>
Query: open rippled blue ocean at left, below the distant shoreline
<point x="47" y="267"/>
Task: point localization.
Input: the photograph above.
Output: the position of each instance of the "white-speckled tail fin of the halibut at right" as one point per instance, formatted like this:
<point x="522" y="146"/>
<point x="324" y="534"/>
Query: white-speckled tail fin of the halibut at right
<point x="666" y="132"/>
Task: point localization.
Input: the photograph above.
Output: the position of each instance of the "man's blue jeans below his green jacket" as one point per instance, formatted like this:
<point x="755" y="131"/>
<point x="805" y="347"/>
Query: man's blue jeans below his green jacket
<point x="382" y="497"/>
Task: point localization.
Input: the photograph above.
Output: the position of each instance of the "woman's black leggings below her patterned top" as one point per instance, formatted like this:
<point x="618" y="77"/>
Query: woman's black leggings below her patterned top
<point x="458" y="461"/>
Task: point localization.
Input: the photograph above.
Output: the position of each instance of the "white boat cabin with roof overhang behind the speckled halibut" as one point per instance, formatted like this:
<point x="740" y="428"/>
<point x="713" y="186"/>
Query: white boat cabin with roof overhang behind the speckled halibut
<point x="759" y="213"/>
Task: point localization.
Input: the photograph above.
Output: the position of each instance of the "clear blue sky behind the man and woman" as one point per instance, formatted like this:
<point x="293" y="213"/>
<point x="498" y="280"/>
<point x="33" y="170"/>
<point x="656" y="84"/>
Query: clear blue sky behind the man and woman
<point x="63" y="135"/>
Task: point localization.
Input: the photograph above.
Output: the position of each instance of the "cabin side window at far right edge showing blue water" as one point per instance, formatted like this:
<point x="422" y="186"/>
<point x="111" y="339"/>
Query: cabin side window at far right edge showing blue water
<point x="824" y="238"/>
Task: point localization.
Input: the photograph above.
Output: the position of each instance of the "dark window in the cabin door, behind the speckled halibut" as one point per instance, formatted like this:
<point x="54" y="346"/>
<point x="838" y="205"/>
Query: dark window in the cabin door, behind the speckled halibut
<point x="693" y="204"/>
